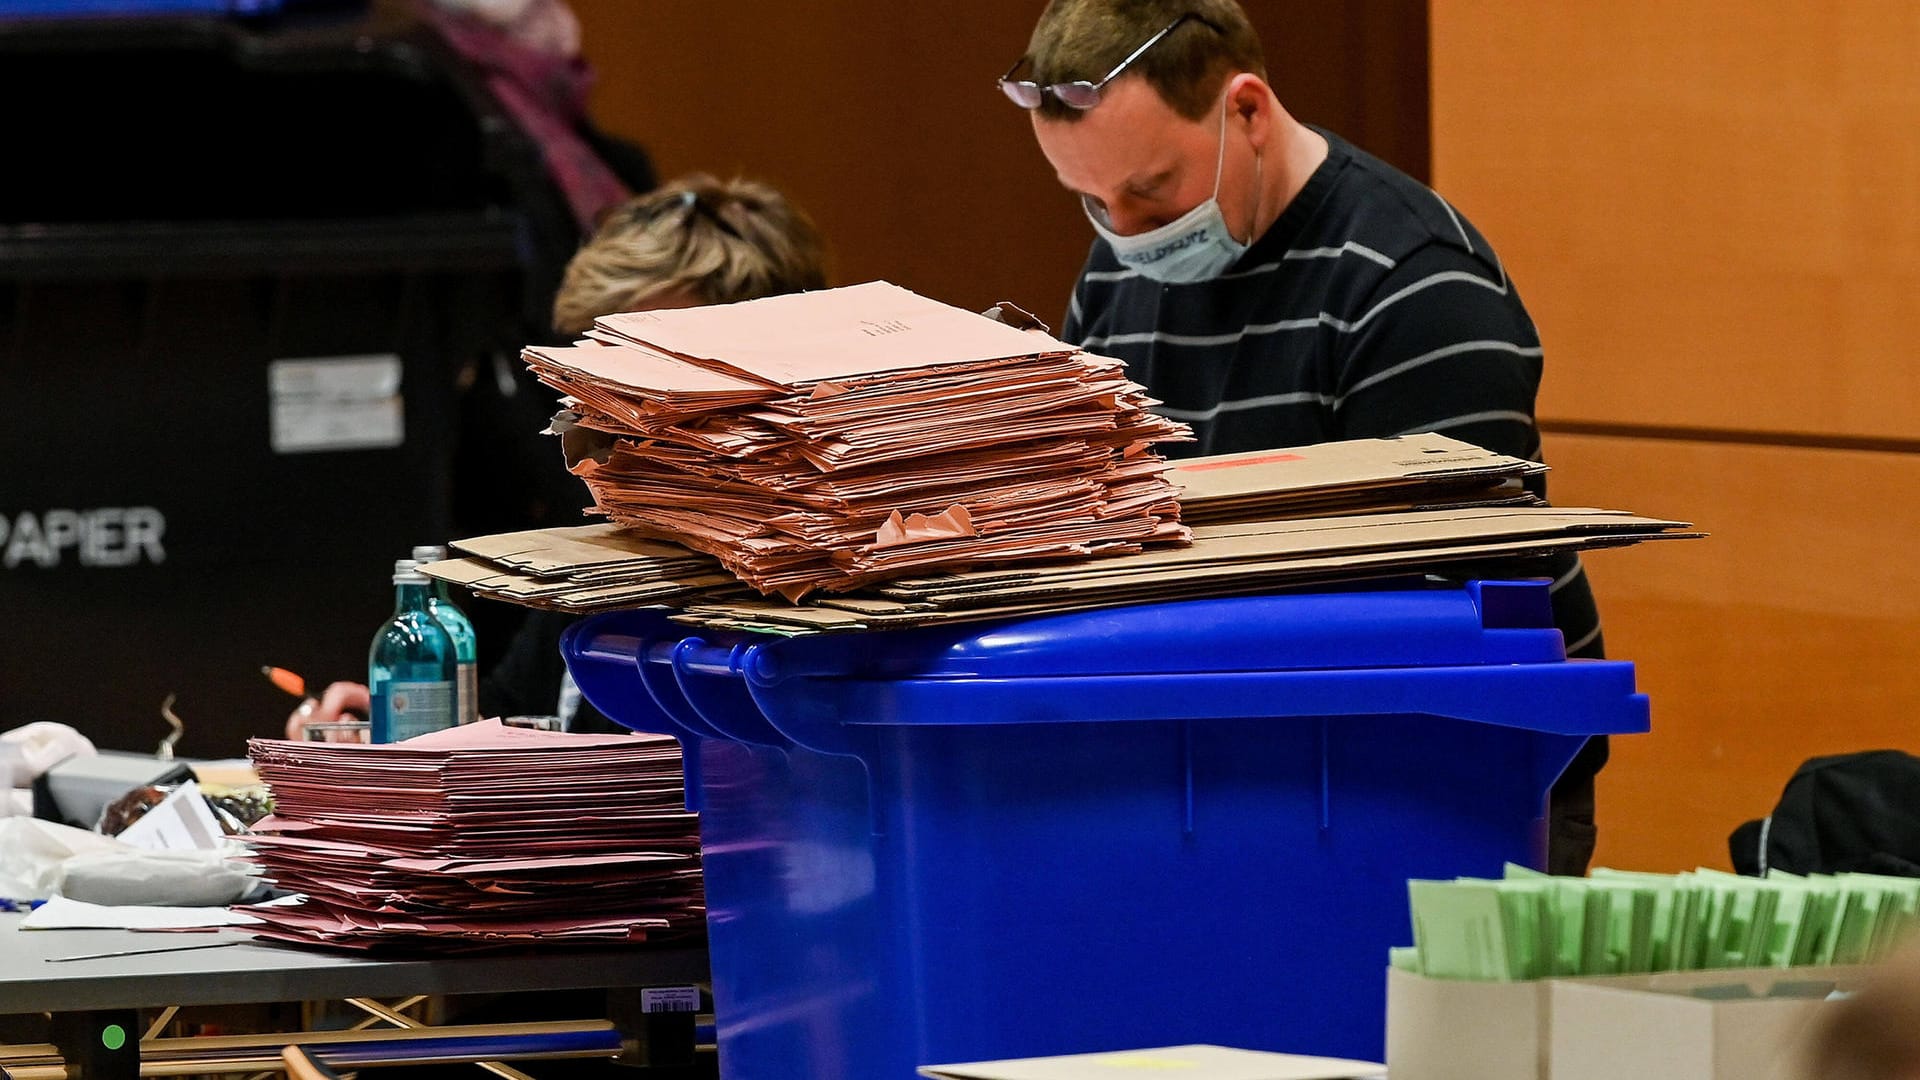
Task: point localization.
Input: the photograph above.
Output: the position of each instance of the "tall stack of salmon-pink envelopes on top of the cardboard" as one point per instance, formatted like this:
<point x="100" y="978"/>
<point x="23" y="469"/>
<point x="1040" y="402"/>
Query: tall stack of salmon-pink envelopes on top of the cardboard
<point x="832" y="439"/>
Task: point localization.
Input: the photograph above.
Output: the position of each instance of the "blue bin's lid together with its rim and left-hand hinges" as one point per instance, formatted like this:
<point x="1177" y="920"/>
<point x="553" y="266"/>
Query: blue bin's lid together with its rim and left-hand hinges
<point x="1479" y="652"/>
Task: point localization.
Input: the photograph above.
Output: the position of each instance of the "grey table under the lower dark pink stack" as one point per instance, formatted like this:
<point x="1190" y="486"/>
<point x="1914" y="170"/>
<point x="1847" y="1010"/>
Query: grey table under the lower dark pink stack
<point x="87" y="996"/>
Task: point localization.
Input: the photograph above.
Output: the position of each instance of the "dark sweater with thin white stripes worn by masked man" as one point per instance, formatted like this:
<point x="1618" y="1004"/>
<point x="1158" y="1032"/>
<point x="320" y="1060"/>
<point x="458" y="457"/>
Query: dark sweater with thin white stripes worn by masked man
<point x="1372" y="308"/>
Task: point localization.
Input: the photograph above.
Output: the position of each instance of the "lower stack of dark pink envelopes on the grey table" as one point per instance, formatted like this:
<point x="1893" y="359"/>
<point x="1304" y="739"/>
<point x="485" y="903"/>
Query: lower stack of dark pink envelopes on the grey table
<point x="479" y="837"/>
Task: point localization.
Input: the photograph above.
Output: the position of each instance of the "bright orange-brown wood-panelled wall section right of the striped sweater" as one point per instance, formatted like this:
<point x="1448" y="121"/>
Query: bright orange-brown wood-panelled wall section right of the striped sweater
<point x="1714" y="214"/>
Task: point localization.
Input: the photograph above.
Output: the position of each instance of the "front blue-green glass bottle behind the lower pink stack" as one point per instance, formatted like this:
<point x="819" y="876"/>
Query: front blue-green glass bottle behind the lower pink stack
<point x="412" y="666"/>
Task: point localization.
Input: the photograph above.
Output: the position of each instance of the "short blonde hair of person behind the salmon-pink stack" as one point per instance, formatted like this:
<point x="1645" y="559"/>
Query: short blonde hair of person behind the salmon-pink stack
<point x="694" y="237"/>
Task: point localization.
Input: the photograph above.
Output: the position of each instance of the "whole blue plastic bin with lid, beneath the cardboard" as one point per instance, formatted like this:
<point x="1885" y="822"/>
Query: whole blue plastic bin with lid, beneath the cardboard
<point x="1116" y="829"/>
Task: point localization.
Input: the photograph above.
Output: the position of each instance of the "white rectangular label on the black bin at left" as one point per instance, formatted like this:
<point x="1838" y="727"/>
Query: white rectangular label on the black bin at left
<point x="337" y="403"/>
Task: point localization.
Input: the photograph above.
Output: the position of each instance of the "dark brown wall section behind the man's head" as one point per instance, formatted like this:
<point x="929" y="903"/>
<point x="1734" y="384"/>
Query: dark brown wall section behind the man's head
<point x="882" y="120"/>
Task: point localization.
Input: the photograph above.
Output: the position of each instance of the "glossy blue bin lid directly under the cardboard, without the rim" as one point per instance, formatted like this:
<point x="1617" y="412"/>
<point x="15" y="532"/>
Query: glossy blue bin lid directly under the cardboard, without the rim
<point x="1447" y="626"/>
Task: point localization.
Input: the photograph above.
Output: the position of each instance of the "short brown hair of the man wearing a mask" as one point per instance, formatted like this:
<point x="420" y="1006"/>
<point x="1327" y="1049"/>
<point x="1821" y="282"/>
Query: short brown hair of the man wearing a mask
<point x="1086" y="39"/>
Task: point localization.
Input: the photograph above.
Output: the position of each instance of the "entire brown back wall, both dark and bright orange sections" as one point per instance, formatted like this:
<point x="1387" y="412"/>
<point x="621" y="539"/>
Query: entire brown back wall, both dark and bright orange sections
<point x="1714" y="214"/>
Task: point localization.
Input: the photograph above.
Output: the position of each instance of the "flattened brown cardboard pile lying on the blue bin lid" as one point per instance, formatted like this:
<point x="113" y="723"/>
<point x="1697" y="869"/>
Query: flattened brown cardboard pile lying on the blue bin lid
<point x="1291" y="518"/>
